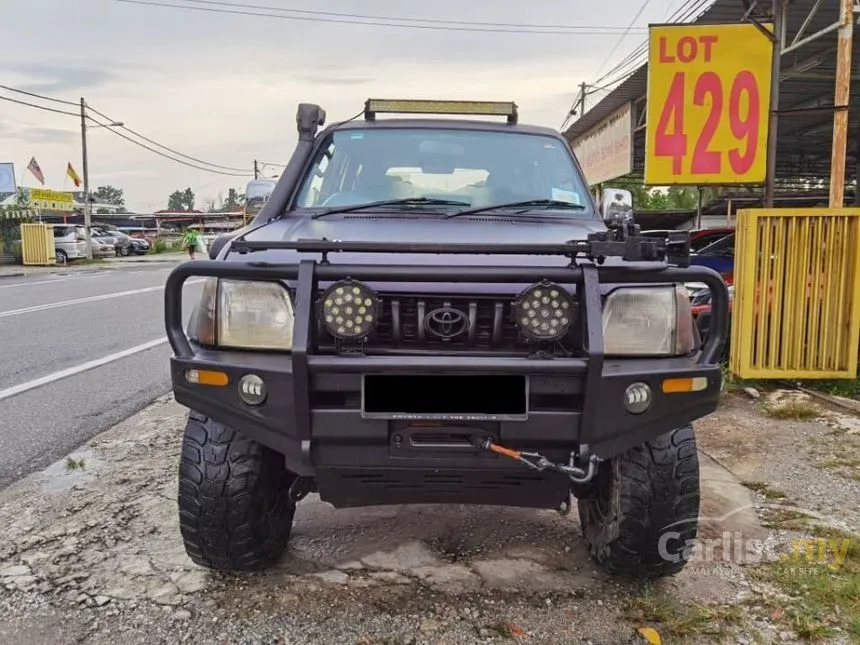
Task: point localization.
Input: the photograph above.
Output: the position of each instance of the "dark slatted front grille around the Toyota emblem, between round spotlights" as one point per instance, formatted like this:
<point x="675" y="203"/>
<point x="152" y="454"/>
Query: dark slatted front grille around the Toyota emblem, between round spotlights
<point x="402" y="324"/>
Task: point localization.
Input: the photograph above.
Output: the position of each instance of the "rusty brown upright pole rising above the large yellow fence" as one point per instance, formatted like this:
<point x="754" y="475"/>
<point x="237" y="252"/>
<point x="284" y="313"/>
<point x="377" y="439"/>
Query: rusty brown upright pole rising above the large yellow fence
<point x="840" y="101"/>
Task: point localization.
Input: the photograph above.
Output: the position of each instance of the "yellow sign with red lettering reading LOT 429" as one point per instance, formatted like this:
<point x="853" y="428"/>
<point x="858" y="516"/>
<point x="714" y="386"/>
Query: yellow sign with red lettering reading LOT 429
<point x="708" y="104"/>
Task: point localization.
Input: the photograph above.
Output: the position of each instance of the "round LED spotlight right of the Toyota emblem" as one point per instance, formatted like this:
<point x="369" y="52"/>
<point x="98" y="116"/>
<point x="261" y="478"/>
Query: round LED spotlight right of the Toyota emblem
<point x="544" y="311"/>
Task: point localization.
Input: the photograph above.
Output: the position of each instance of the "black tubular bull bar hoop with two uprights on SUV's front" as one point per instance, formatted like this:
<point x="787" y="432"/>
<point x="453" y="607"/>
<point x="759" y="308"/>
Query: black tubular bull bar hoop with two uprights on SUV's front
<point x="308" y="273"/>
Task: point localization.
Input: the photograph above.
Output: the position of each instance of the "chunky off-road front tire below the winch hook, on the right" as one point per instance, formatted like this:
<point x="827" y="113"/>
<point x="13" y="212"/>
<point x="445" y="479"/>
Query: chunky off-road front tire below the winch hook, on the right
<point x="639" y="496"/>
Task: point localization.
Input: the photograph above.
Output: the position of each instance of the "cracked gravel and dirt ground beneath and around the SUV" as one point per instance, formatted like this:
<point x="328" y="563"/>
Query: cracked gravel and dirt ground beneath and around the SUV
<point x="91" y="553"/>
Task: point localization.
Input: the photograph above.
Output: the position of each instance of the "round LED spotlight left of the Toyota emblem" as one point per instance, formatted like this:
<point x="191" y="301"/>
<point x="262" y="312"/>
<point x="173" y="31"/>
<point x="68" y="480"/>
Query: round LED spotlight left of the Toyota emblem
<point x="349" y="309"/>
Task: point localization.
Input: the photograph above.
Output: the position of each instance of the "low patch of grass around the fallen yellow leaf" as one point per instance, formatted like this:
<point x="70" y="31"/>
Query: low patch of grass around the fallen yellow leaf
<point x="673" y="619"/>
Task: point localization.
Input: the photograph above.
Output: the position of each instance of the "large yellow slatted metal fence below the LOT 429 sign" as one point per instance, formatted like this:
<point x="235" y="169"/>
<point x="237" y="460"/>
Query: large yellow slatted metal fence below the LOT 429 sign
<point x="796" y="307"/>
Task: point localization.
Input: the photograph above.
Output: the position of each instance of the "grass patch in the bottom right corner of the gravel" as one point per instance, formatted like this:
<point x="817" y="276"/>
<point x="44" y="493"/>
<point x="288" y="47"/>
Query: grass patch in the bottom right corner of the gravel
<point x="825" y="597"/>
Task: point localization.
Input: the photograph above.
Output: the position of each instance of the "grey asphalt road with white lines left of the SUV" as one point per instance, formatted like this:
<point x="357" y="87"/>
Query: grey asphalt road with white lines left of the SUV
<point x="78" y="353"/>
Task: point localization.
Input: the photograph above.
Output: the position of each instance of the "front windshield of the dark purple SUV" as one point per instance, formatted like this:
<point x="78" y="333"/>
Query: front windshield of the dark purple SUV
<point x="477" y="168"/>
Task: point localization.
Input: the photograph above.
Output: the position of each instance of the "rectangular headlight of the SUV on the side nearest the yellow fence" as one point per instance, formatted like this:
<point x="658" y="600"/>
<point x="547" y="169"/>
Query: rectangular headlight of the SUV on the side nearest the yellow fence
<point x="648" y="321"/>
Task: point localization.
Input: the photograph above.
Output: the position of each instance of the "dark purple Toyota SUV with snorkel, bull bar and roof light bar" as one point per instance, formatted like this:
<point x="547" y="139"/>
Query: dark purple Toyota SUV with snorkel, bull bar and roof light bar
<point x="430" y="310"/>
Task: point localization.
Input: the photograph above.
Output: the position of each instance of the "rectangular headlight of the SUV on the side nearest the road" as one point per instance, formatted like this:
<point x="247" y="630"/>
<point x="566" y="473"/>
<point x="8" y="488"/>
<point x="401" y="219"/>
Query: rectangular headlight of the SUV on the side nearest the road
<point x="245" y="315"/>
